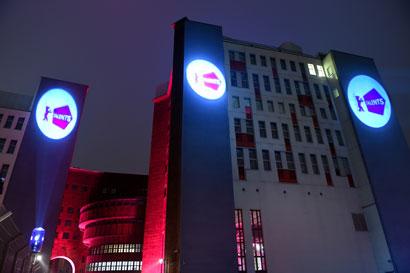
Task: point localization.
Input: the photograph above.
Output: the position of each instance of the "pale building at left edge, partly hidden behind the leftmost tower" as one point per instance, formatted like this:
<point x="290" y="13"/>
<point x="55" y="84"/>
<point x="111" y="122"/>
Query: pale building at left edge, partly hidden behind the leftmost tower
<point x="14" y="114"/>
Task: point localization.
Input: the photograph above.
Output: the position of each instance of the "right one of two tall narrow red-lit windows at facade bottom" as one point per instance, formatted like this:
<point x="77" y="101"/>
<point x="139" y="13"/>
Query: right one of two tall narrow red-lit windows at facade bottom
<point x="258" y="247"/>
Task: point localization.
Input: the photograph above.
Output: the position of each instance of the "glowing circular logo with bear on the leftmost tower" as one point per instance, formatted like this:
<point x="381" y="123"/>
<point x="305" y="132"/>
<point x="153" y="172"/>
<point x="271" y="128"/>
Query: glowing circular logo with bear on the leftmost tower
<point x="56" y="113"/>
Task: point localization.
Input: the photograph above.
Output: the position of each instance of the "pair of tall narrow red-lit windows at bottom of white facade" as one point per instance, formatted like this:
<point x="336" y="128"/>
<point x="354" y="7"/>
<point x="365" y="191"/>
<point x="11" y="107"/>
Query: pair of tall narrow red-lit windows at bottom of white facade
<point x="259" y="259"/>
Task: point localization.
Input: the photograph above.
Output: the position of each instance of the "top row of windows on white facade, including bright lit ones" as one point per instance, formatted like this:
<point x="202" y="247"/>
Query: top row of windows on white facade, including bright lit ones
<point x="240" y="56"/>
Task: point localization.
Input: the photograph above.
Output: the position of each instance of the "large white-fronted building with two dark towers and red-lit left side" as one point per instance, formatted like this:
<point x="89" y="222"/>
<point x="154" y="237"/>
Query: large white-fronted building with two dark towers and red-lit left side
<point x="270" y="149"/>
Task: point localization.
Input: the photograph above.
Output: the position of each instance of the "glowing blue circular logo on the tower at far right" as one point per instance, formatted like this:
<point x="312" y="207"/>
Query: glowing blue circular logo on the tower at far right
<point x="369" y="101"/>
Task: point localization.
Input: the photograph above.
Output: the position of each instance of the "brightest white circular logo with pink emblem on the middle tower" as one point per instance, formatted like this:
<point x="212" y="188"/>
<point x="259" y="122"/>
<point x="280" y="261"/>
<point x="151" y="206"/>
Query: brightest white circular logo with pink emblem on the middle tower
<point x="206" y="79"/>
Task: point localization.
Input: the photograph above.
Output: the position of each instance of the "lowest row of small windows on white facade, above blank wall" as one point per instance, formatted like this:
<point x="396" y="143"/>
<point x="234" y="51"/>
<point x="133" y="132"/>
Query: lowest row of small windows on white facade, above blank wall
<point x="285" y="160"/>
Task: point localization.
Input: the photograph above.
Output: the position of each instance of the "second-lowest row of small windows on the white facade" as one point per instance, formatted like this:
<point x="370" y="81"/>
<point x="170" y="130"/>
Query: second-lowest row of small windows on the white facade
<point x="274" y="133"/>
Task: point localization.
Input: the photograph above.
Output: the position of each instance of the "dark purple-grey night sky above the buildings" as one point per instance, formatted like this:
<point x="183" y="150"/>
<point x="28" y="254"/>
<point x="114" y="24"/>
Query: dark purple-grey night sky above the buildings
<point x="123" y="50"/>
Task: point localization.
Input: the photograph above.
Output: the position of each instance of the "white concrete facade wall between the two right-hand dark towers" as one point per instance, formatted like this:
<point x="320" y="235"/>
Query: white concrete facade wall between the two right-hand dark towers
<point x="308" y="225"/>
